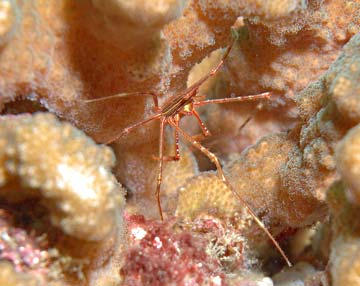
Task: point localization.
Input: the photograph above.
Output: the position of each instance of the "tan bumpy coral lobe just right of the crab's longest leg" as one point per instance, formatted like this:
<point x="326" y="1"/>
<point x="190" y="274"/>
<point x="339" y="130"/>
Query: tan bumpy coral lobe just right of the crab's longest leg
<point x="255" y="175"/>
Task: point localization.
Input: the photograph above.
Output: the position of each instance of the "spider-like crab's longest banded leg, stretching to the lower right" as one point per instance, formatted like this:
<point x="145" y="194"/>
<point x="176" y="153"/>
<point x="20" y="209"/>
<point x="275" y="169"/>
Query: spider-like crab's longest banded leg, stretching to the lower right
<point x="216" y="161"/>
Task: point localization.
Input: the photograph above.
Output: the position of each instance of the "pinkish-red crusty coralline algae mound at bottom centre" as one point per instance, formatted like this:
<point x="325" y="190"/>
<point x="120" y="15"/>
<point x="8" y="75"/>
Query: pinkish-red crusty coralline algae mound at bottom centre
<point x="161" y="254"/>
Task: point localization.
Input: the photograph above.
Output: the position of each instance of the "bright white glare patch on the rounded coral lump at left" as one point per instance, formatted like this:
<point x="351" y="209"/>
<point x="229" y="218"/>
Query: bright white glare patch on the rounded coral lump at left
<point x="78" y="181"/>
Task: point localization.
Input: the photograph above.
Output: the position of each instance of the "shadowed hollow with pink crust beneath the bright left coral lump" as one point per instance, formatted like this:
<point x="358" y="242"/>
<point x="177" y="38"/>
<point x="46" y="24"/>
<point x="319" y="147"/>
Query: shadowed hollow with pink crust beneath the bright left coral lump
<point x="33" y="243"/>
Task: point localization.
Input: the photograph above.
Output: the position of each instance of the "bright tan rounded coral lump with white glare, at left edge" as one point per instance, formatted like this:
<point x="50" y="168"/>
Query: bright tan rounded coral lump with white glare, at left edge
<point x="75" y="183"/>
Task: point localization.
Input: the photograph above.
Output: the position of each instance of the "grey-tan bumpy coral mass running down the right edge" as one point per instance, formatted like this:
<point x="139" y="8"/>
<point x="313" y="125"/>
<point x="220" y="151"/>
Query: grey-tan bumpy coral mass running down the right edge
<point x="339" y="114"/>
